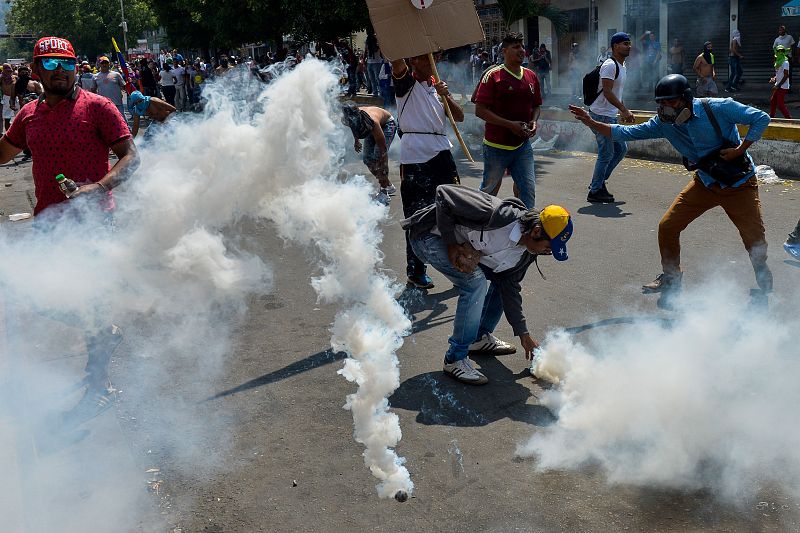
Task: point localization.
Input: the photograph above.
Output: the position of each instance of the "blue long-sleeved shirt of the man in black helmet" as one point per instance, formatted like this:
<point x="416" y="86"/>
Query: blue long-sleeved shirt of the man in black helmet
<point x="697" y="137"/>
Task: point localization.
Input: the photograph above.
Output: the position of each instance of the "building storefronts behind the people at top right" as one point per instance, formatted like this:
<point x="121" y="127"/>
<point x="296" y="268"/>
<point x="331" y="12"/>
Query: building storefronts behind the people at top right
<point x="692" y="22"/>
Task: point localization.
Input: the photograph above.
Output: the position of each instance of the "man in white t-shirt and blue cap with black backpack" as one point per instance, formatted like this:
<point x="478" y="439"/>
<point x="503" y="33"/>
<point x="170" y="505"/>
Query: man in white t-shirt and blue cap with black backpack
<point x="603" y="93"/>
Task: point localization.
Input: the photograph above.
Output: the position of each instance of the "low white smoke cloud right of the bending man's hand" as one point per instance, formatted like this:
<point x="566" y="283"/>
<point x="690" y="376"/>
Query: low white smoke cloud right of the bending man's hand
<point x="703" y="403"/>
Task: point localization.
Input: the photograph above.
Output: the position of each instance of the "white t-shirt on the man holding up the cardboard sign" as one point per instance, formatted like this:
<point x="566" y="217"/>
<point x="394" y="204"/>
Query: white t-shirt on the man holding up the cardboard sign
<point x="421" y="110"/>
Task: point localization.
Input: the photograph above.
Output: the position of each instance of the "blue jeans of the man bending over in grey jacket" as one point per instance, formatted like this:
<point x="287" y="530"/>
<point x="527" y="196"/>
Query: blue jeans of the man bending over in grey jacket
<point x="478" y="310"/>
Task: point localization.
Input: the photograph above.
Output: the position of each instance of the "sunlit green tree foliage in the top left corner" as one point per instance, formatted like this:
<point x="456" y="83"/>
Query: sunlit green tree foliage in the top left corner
<point x="88" y="24"/>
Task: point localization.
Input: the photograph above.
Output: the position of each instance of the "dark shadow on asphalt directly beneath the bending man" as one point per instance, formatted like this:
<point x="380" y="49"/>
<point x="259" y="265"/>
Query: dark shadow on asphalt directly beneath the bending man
<point x="444" y="401"/>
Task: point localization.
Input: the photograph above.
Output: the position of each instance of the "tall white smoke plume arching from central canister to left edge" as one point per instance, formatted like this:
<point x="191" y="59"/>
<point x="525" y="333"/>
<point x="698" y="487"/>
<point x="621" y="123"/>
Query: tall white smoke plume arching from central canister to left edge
<point x="176" y="268"/>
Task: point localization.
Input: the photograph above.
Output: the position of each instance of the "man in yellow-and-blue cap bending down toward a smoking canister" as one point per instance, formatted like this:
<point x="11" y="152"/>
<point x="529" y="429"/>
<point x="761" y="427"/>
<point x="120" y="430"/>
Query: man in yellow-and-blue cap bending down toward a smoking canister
<point x="471" y="237"/>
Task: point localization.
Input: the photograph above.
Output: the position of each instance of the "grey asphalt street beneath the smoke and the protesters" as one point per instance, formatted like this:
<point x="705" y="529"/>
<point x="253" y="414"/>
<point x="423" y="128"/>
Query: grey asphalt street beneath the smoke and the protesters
<point x="260" y="442"/>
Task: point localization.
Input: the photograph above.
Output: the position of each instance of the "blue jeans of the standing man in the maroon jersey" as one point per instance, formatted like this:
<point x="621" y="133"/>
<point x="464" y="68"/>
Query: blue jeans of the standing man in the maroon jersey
<point x="521" y="165"/>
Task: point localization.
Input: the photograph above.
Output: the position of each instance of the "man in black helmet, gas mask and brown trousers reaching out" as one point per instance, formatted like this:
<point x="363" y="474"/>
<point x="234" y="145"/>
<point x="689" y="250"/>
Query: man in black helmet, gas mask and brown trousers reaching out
<point x="724" y="174"/>
